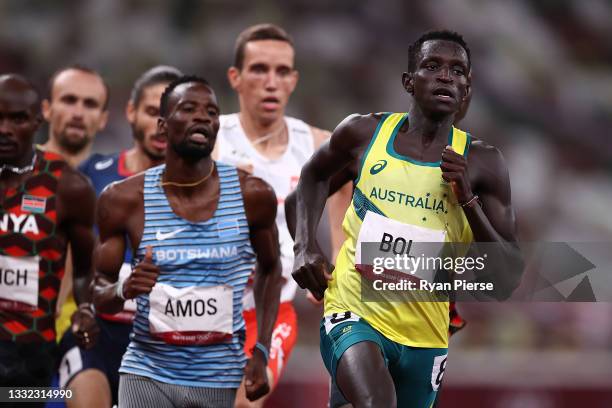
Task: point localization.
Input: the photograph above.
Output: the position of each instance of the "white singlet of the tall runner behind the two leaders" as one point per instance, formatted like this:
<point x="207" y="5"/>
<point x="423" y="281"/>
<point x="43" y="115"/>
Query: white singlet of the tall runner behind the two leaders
<point x="281" y="173"/>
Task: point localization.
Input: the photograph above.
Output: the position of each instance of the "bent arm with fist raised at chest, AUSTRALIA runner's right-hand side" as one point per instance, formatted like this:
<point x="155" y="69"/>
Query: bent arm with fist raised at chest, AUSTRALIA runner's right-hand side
<point x="495" y="221"/>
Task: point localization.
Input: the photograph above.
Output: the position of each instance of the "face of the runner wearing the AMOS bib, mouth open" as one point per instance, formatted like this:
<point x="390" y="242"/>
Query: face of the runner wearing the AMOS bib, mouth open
<point x="192" y="121"/>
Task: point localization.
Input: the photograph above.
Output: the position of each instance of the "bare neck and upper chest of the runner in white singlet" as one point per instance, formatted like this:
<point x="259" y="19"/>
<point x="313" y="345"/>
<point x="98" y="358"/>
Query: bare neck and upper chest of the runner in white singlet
<point x="269" y="138"/>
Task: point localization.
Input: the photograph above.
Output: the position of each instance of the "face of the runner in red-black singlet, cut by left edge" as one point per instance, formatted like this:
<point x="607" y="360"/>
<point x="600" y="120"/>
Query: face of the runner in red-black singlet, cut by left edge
<point x="19" y="120"/>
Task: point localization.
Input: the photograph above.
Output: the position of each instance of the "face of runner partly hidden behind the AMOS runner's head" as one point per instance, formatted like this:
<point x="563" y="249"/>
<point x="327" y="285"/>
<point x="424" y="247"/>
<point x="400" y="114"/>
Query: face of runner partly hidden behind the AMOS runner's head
<point x="143" y="119"/>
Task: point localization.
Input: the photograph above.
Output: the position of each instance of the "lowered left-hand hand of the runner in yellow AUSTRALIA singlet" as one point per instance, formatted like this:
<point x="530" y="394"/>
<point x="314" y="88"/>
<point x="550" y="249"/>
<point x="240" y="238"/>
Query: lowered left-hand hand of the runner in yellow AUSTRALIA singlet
<point x="312" y="271"/>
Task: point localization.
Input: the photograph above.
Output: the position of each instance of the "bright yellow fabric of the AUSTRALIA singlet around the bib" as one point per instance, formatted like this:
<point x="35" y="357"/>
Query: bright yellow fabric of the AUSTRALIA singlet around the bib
<point x="420" y="198"/>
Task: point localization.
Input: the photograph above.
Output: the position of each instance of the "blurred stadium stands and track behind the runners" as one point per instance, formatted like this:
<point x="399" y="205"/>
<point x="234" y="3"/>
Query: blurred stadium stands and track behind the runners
<point x="542" y="86"/>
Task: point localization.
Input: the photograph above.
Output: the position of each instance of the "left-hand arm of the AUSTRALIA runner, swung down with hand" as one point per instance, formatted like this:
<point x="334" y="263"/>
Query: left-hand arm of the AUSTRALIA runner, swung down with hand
<point x="344" y="148"/>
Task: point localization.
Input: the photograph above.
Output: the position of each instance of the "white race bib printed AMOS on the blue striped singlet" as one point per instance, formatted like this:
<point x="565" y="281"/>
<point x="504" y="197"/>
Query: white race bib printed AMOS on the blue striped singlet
<point x="193" y="315"/>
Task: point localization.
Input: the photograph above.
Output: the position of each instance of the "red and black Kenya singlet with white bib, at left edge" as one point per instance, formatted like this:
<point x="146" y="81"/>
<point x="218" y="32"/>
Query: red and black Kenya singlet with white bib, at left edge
<point x="28" y="229"/>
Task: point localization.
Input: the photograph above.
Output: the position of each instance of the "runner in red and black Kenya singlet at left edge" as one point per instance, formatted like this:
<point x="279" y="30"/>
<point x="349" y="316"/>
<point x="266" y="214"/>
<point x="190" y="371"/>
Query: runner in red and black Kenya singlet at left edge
<point x="44" y="204"/>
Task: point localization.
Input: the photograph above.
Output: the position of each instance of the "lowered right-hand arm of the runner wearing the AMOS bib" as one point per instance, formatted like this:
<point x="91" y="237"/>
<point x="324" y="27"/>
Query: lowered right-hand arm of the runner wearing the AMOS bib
<point x="260" y="206"/>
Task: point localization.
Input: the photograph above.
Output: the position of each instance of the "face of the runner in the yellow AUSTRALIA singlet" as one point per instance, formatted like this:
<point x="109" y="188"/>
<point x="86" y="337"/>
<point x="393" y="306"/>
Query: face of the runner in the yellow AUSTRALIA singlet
<point x="441" y="81"/>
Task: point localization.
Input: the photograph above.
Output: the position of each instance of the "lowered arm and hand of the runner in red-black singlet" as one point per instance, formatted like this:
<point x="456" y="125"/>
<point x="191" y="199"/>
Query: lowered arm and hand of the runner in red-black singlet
<point x="75" y="206"/>
